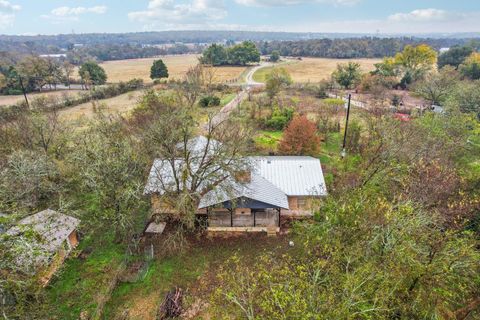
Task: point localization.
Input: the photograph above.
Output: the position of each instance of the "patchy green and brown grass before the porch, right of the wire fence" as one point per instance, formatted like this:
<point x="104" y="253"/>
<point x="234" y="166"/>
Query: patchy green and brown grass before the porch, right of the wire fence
<point x="193" y="271"/>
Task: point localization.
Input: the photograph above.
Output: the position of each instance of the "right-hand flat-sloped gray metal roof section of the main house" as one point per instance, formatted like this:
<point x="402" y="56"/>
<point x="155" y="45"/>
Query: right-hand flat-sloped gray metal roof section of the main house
<point x="294" y="175"/>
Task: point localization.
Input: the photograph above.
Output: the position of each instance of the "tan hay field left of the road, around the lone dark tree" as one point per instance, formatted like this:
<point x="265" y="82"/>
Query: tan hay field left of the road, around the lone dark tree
<point x="124" y="70"/>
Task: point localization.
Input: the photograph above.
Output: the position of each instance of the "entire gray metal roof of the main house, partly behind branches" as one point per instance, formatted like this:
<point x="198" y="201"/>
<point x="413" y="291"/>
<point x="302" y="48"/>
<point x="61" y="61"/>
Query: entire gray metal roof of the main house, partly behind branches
<point x="273" y="178"/>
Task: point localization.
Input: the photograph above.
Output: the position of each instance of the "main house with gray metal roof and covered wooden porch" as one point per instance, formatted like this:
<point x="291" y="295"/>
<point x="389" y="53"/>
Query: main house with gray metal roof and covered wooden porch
<point x="256" y="198"/>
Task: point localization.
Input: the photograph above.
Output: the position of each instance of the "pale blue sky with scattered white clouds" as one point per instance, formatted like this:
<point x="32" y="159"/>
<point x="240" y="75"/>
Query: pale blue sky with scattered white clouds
<point x="31" y="17"/>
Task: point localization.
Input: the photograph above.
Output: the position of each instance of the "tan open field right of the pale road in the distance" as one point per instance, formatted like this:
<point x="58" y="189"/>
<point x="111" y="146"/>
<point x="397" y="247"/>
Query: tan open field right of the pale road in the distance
<point x="313" y="69"/>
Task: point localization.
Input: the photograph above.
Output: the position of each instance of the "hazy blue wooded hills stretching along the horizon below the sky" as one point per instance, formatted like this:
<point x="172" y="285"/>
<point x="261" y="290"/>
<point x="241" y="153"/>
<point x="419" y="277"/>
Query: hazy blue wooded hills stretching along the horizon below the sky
<point x="118" y="46"/>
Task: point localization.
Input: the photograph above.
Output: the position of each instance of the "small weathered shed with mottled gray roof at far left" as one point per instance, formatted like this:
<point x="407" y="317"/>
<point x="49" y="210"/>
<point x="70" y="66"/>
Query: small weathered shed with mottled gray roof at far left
<point x="49" y="236"/>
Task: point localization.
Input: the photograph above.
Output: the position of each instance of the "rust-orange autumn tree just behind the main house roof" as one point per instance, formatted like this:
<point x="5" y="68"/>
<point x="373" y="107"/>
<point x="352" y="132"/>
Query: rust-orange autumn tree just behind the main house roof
<point x="300" y="138"/>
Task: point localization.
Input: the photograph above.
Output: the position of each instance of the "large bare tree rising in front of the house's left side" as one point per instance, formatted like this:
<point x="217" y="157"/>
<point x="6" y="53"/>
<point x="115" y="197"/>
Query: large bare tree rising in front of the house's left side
<point x="189" y="166"/>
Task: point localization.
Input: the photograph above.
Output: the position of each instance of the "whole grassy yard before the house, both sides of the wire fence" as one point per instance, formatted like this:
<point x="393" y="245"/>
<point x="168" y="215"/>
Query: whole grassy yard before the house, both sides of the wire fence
<point x="82" y="283"/>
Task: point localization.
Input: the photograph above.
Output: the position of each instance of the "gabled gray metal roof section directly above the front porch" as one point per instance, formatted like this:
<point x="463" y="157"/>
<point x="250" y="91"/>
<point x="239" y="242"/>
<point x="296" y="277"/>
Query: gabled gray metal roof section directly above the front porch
<point x="258" y="189"/>
